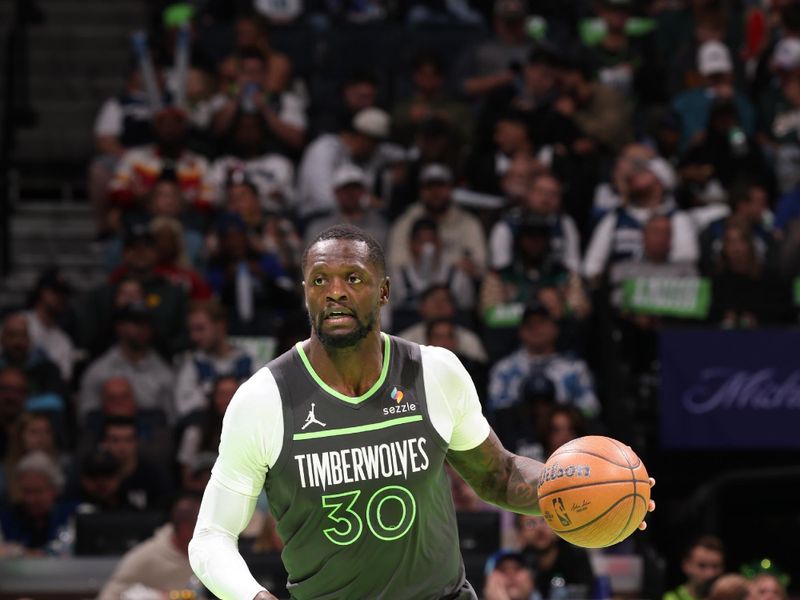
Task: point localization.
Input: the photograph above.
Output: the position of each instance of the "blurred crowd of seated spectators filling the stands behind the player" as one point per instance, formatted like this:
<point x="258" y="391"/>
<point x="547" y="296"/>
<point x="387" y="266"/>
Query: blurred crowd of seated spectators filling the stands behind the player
<point x="519" y="191"/>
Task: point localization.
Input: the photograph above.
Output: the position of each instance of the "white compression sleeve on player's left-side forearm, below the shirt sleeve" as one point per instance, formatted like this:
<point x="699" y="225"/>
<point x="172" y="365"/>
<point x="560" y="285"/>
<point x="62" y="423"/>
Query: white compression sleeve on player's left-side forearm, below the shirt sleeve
<point x="213" y="551"/>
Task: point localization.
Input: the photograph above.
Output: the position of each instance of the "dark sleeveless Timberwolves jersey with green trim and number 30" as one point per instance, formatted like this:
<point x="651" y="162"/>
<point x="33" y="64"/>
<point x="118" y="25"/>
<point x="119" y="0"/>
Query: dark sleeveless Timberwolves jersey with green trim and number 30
<point x="359" y="490"/>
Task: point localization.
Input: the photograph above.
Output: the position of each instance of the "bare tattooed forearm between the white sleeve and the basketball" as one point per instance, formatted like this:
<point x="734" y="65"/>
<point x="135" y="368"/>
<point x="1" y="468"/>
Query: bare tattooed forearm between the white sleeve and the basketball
<point x="498" y="476"/>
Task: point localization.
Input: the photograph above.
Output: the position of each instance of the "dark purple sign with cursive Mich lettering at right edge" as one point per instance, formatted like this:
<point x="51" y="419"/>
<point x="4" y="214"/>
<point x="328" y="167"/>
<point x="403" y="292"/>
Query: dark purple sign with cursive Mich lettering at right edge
<point x="730" y="389"/>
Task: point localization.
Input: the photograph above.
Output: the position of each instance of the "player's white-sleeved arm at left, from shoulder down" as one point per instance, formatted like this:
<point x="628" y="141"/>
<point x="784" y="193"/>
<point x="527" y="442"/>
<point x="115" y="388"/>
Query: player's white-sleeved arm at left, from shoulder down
<point x="252" y="434"/>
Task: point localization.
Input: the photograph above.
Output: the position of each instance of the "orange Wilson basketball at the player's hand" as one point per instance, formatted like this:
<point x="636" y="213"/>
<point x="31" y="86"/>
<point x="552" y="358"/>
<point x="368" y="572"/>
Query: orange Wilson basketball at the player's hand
<point x="594" y="491"/>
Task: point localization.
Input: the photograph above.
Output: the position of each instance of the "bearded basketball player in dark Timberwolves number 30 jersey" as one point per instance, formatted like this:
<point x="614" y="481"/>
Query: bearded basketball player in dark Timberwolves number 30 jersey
<point x="348" y="433"/>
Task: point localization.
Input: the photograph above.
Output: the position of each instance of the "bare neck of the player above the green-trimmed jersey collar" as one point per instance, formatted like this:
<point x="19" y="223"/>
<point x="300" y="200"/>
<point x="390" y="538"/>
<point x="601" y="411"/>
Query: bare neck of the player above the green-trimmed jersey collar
<point x="350" y="371"/>
